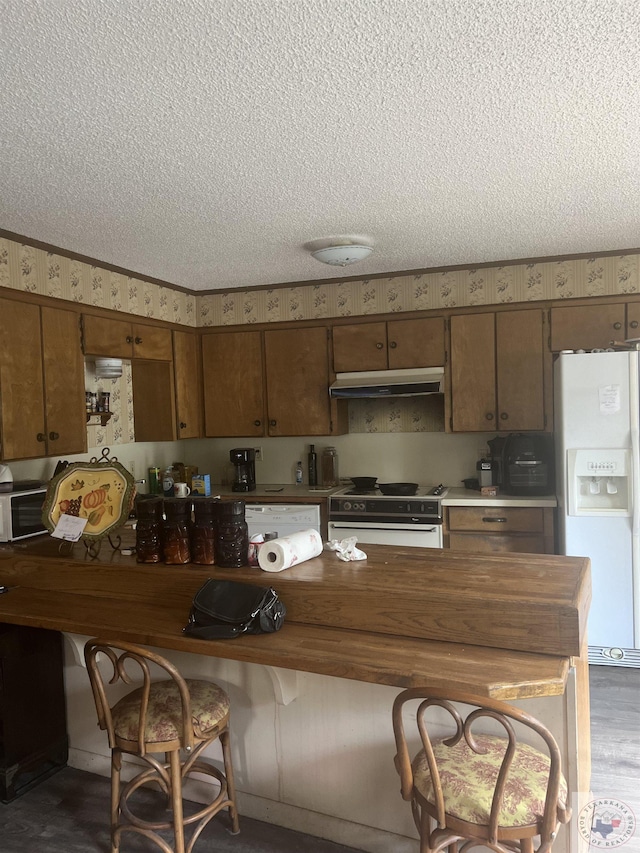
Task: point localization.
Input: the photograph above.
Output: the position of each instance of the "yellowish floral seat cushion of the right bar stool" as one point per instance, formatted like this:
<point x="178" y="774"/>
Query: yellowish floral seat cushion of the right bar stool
<point x="468" y="781"/>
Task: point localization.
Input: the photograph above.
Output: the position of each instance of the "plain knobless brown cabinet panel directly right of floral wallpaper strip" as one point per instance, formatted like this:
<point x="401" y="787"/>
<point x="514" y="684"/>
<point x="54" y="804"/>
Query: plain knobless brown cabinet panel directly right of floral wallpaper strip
<point x="154" y="414"/>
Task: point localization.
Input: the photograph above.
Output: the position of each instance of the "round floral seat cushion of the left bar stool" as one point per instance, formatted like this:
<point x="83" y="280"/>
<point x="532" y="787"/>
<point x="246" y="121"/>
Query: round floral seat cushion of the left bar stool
<point x="209" y="705"/>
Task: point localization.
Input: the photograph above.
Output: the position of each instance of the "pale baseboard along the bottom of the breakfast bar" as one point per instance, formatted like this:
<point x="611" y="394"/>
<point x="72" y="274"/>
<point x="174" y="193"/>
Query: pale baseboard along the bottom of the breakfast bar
<point x="331" y="828"/>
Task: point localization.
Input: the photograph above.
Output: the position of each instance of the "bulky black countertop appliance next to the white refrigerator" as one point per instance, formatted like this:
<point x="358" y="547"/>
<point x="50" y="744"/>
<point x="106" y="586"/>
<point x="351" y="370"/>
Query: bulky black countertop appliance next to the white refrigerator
<point x="527" y="465"/>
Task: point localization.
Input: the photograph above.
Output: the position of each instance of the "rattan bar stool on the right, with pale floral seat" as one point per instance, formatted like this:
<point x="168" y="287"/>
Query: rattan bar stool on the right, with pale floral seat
<point x="478" y="788"/>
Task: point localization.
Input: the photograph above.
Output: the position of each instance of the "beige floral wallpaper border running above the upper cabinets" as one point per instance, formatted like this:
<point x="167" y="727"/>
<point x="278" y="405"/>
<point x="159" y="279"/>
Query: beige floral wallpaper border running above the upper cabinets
<point x="32" y="270"/>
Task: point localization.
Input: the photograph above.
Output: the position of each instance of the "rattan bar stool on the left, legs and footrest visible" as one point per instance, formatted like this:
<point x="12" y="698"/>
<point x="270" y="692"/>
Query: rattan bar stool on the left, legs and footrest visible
<point x="160" y="717"/>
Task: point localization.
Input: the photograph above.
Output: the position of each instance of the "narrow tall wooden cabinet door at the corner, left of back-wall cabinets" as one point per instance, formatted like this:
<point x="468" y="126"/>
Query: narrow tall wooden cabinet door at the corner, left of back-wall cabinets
<point x="187" y="366"/>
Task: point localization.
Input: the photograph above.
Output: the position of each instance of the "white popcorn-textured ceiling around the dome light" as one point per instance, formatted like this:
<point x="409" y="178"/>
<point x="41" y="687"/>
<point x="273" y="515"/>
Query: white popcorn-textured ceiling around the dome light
<point x="205" y="142"/>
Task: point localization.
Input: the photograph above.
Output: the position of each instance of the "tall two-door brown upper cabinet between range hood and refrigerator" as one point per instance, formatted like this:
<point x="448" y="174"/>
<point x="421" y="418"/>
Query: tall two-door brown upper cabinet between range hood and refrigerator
<point x="497" y="371"/>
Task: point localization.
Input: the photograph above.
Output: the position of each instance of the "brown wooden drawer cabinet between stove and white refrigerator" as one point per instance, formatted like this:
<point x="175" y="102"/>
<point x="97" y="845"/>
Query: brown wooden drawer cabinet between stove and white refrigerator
<point x="501" y="529"/>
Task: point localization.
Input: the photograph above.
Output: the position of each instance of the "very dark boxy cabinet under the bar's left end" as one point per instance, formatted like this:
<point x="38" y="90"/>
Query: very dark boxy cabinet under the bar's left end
<point x="33" y="722"/>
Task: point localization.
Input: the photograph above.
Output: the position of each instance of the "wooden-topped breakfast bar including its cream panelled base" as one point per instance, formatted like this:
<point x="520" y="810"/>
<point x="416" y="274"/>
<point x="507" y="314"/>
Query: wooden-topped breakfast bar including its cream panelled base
<point x="312" y="703"/>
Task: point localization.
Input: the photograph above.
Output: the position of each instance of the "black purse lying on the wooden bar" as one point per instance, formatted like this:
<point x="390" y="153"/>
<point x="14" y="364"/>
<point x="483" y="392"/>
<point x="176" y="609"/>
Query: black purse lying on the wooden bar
<point x="227" y="609"/>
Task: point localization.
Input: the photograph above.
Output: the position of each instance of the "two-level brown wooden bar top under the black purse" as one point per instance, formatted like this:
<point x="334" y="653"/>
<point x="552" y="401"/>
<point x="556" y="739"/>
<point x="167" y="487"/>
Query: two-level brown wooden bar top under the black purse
<point x="504" y="626"/>
